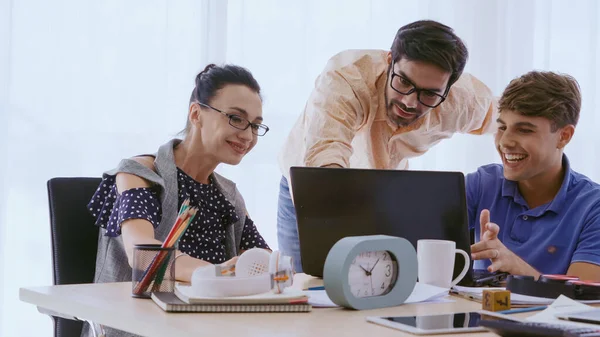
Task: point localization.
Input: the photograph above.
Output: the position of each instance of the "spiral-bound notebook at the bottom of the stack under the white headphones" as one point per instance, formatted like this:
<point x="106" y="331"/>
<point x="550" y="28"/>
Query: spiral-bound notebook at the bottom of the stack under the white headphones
<point x="169" y="302"/>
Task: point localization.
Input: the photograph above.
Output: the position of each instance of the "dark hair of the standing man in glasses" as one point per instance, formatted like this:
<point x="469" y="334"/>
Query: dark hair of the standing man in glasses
<point x="431" y="42"/>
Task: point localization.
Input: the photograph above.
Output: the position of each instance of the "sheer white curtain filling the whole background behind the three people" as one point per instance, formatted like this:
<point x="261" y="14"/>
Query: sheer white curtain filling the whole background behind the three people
<point x="86" y="83"/>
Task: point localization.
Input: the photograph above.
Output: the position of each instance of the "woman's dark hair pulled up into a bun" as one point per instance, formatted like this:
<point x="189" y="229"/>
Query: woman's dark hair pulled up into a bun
<point x="213" y="78"/>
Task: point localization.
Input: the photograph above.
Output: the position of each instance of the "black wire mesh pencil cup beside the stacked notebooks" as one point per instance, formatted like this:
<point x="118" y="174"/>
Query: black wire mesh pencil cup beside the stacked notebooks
<point x="153" y="270"/>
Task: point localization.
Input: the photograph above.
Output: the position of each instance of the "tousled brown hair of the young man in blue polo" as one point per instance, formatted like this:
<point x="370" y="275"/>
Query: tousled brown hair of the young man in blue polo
<point x="554" y="96"/>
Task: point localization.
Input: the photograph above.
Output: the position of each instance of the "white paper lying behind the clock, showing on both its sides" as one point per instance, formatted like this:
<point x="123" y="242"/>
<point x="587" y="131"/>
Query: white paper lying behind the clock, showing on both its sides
<point x="421" y="293"/>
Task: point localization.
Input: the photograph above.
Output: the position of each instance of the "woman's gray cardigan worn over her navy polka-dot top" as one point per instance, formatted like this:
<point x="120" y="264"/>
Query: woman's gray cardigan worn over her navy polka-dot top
<point x="111" y="260"/>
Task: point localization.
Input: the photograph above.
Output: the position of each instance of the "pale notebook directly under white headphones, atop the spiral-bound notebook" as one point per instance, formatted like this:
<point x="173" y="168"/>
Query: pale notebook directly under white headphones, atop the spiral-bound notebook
<point x="289" y="296"/>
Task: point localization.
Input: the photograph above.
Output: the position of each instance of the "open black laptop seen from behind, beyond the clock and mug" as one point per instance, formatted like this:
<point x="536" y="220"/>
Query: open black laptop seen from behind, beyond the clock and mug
<point x="333" y="203"/>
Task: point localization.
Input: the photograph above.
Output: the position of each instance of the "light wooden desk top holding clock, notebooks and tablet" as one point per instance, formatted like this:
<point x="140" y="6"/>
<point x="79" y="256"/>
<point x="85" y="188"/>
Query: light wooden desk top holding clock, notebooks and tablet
<point x="111" y="304"/>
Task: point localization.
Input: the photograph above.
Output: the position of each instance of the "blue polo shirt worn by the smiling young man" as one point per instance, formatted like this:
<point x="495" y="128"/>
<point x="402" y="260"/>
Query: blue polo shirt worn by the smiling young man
<point x="549" y="237"/>
